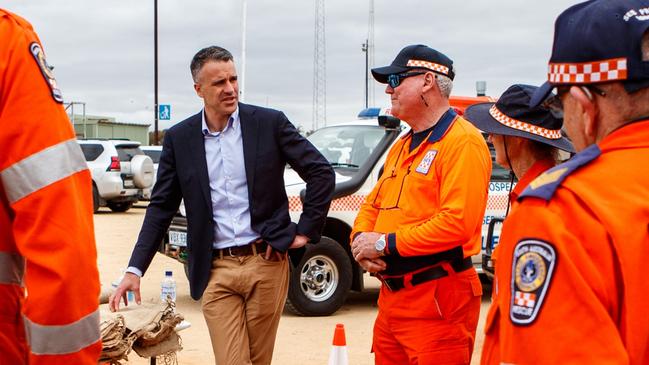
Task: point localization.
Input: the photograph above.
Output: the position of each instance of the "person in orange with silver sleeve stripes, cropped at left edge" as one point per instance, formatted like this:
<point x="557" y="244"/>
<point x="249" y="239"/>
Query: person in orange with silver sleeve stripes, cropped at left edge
<point x="49" y="283"/>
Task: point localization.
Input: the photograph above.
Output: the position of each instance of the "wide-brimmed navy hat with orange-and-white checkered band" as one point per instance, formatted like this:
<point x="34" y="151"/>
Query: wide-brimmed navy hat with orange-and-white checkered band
<point x="511" y="115"/>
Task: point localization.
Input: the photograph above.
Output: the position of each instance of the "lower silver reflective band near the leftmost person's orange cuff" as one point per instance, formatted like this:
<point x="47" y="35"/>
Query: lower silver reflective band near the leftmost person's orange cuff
<point x="60" y="340"/>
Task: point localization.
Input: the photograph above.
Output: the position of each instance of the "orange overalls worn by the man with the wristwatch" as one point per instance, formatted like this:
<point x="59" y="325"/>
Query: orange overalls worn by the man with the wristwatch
<point x="430" y="202"/>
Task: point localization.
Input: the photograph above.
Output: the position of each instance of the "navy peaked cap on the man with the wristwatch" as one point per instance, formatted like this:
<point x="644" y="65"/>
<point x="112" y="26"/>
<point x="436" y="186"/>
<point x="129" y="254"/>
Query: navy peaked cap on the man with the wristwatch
<point x="416" y="56"/>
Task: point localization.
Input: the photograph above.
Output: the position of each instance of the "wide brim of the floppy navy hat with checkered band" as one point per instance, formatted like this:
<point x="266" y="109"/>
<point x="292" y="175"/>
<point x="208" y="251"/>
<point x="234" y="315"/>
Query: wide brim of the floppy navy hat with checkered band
<point x="478" y="115"/>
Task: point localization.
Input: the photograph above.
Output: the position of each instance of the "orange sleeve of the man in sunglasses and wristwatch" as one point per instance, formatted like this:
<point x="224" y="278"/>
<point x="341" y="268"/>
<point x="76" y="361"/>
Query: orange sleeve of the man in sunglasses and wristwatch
<point x="465" y="172"/>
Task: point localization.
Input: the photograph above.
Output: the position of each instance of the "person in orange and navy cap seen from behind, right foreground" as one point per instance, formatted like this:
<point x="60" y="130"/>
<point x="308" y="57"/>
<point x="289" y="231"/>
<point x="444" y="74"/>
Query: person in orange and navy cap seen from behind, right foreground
<point x="572" y="283"/>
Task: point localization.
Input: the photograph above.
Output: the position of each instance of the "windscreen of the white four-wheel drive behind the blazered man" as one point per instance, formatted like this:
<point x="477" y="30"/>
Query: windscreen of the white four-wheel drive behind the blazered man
<point x="347" y="146"/>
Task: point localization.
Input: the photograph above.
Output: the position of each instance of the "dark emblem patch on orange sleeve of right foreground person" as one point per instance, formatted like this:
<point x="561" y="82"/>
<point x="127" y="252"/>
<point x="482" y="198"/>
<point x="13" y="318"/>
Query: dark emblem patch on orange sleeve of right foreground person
<point x="532" y="270"/>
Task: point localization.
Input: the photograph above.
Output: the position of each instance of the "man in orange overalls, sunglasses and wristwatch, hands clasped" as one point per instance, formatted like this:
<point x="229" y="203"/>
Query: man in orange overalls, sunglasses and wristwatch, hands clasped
<point x="422" y="222"/>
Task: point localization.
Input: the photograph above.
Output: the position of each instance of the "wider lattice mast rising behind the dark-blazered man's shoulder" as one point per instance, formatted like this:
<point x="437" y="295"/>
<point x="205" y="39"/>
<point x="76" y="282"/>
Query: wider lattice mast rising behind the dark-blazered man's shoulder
<point x="319" y="68"/>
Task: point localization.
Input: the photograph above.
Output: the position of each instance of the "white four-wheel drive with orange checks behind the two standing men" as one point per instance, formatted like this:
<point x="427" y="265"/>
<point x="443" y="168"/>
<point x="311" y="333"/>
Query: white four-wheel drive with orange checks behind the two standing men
<point x="323" y="273"/>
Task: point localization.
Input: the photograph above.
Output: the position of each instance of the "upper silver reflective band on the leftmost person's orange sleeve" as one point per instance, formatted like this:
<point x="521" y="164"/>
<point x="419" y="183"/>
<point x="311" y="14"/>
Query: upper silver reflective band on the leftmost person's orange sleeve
<point x="42" y="169"/>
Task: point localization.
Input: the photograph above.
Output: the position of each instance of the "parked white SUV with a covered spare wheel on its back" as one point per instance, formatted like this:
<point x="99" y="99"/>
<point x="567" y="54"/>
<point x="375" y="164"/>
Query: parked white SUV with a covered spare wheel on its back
<point x="120" y="170"/>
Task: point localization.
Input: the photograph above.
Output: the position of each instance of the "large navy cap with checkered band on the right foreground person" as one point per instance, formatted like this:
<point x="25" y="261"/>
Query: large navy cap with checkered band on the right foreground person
<point x="599" y="41"/>
